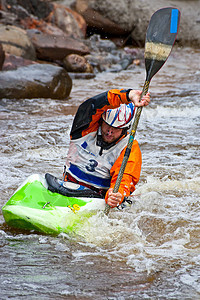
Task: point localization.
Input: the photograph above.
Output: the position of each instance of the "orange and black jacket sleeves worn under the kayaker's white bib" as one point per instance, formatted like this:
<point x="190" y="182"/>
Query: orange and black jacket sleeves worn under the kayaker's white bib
<point x="87" y="120"/>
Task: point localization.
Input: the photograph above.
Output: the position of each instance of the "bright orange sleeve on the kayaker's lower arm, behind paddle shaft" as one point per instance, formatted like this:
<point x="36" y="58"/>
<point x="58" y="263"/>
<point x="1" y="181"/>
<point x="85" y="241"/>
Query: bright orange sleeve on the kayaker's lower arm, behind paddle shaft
<point x="131" y="174"/>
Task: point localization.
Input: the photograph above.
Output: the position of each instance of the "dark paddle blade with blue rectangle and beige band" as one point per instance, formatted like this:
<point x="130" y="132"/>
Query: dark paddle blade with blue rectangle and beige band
<point x="160" y="37"/>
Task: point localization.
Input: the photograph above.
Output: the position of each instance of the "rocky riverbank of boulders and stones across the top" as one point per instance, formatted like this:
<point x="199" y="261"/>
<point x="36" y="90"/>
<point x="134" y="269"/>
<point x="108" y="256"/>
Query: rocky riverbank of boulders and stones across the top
<point x="66" y="35"/>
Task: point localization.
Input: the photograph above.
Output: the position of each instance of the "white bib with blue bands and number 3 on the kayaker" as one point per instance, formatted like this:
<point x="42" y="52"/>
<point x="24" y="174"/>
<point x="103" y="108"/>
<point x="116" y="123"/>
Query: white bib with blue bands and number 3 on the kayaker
<point x="85" y="163"/>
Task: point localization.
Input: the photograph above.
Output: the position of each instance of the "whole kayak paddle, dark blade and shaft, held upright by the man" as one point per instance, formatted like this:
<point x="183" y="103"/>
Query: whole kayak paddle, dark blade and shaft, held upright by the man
<point x="160" y="37"/>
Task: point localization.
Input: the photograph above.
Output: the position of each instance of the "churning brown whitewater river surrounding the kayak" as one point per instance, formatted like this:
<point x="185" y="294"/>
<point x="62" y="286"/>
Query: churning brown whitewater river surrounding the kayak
<point x="151" y="251"/>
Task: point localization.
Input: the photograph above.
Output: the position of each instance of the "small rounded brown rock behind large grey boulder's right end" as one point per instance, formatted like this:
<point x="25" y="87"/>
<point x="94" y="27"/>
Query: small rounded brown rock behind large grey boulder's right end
<point x="77" y="63"/>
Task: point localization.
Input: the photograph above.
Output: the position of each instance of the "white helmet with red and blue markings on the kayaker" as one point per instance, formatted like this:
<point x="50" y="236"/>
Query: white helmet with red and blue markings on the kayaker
<point x="119" y="117"/>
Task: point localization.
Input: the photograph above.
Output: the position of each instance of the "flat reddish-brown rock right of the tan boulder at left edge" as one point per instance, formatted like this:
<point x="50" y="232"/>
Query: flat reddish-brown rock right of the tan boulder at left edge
<point x="52" y="47"/>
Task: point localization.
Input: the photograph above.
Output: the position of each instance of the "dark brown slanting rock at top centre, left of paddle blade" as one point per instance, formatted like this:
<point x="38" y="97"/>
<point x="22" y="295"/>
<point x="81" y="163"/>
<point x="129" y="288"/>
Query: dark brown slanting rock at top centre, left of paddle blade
<point x="97" y="21"/>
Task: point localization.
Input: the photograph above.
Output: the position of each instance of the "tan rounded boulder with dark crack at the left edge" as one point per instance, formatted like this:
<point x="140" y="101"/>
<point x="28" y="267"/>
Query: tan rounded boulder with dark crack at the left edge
<point x="16" y="41"/>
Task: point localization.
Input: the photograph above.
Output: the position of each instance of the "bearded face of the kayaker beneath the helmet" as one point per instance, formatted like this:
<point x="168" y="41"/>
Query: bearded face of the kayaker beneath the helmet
<point x="109" y="133"/>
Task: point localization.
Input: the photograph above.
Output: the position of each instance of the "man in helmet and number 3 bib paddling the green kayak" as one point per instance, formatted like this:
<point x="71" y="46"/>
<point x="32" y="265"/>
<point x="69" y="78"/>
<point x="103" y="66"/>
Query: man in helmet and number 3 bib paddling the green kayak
<point x="98" y="140"/>
